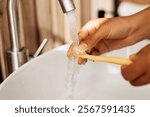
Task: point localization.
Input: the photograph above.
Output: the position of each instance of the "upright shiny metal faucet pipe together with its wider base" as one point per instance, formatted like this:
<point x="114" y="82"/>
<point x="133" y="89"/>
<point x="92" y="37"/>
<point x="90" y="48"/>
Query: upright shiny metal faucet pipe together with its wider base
<point x="18" y="55"/>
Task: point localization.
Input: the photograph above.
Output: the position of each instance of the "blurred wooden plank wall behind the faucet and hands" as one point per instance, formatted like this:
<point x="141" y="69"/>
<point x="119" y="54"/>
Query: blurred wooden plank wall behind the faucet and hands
<point x="44" y="18"/>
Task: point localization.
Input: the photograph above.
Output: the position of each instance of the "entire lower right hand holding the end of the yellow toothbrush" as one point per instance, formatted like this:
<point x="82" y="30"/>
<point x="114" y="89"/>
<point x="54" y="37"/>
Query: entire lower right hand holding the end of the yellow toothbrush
<point x="138" y="73"/>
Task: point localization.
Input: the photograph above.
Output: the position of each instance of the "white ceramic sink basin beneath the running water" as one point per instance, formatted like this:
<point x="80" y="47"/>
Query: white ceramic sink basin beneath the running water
<point x="44" y="78"/>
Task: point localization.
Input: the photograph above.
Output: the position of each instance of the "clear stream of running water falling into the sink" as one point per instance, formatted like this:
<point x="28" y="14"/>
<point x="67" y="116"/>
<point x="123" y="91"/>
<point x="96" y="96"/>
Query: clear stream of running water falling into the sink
<point x="73" y="67"/>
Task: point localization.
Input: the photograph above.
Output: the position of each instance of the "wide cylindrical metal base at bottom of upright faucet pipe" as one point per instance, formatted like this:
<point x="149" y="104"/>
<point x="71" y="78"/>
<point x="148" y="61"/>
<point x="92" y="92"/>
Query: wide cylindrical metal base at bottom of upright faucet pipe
<point x="16" y="59"/>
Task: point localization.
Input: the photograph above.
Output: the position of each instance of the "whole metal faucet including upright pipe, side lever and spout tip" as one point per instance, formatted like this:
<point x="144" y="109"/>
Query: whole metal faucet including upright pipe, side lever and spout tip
<point x="18" y="55"/>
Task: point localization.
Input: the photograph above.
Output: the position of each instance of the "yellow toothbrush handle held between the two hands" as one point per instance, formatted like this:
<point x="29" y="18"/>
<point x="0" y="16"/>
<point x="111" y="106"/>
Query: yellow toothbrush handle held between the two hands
<point x="109" y="59"/>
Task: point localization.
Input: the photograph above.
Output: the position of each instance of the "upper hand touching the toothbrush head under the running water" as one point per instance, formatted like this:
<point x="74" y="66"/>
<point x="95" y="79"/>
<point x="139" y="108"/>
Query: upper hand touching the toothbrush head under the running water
<point x="103" y="35"/>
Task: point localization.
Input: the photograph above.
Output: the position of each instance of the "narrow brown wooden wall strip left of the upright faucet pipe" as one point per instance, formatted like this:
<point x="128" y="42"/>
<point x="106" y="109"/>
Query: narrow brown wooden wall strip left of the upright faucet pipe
<point x="4" y="37"/>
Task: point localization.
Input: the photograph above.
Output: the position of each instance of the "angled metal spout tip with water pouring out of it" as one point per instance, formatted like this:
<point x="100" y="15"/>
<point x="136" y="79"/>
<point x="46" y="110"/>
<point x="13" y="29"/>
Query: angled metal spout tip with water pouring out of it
<point x="67" y="5"/>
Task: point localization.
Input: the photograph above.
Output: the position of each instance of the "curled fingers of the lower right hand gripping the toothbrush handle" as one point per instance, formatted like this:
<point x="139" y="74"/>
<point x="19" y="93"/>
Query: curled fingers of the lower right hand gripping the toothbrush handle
<point x="136" y="73"/>
